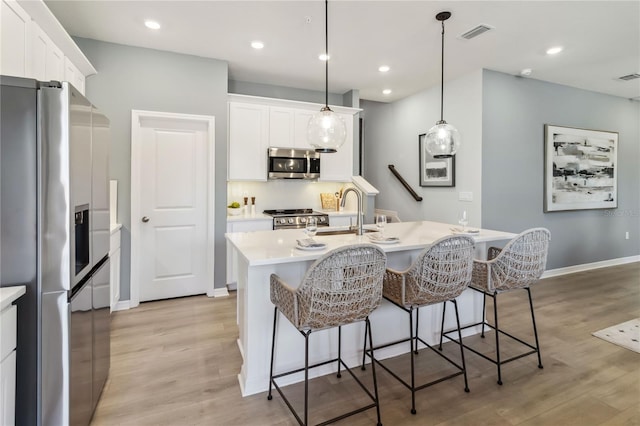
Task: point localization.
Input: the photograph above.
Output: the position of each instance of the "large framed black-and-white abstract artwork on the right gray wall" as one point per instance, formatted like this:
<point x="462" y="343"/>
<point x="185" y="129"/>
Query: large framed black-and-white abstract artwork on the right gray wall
<point x="580" y="169"/>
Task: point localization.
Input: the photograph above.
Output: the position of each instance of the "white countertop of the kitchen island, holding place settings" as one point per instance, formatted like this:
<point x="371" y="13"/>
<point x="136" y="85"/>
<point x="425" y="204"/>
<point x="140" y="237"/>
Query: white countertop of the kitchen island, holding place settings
<point x="275" y="247"/>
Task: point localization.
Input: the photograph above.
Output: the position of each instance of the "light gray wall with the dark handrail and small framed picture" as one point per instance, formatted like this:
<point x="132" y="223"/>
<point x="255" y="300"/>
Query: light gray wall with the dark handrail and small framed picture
<point x="391" y="137"/>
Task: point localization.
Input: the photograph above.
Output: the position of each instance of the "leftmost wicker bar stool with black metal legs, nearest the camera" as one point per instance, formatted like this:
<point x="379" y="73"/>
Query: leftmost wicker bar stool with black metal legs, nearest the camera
<point x="342" y="287"/>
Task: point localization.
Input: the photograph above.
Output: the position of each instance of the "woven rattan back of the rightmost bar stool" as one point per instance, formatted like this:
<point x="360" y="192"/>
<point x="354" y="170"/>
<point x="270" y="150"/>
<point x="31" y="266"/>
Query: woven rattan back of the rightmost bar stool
<point x="521" y="262"/>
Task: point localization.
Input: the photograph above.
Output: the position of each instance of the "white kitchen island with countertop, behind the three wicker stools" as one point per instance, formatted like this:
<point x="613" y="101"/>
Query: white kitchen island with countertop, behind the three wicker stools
<point x="261" y="253"/>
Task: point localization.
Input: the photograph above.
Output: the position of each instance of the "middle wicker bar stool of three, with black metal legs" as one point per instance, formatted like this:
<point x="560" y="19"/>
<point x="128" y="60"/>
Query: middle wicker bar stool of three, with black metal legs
<point x="440" y="273"/>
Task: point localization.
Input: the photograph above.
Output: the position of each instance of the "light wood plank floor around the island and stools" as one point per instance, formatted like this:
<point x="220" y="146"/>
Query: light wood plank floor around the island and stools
<point x="175" y="362"/>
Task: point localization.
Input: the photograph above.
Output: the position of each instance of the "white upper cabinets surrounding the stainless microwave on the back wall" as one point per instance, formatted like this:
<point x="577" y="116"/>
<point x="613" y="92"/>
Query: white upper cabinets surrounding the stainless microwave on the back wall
<point x="256" y="123"/>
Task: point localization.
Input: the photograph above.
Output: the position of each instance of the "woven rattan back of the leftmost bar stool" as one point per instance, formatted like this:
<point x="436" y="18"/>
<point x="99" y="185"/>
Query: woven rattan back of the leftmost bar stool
<point x="341" y="287"/>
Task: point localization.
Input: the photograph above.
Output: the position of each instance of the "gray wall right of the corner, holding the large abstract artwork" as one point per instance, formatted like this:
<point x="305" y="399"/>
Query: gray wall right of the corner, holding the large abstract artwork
<point x="515" y="111"/>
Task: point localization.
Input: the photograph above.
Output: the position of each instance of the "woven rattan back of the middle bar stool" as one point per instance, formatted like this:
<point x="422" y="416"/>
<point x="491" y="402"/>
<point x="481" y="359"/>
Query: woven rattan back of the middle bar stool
<point x="440" y="273"/>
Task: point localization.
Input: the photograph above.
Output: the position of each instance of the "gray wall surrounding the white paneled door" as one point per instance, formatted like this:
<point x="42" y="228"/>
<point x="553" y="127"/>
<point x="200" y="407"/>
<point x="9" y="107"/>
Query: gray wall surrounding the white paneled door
<point x="136" y="78"/>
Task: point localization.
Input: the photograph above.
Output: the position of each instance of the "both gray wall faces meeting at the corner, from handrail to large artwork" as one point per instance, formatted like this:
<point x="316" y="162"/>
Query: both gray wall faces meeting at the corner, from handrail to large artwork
<point x="501" y="119"/>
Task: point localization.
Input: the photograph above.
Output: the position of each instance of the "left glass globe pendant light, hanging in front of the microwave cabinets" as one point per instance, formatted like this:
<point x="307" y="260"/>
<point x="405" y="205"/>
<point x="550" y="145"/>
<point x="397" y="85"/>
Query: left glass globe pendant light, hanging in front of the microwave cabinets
<point x="326" y="130"/>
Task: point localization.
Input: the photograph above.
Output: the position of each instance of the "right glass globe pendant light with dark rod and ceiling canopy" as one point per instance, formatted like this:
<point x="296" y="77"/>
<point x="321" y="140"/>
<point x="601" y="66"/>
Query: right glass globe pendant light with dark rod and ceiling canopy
<point x="443" y="140"/>
